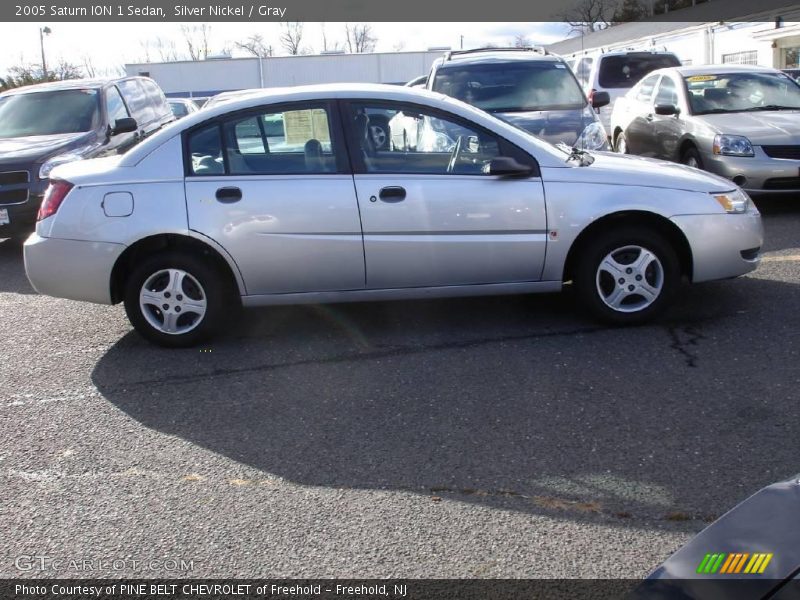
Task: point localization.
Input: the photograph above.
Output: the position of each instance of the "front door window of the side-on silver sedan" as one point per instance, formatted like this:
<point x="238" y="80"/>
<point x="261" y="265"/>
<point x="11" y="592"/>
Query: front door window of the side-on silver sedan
<point x="422" y="142"/>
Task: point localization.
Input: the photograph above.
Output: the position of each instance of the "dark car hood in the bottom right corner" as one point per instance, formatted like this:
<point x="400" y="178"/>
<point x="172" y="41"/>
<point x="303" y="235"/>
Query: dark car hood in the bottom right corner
<point x="767" y="523"/>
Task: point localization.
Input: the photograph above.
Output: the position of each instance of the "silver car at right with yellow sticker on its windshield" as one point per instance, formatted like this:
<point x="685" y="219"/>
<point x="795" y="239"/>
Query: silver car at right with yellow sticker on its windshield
<point x="740" y="122"/>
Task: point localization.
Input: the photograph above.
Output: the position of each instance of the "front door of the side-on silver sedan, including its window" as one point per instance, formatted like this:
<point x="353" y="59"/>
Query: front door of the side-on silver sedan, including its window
<point x="433" y="216"/>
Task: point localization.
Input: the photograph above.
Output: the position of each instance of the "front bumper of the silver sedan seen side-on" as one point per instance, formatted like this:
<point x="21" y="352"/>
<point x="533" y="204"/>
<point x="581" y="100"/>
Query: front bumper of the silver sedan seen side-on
<point x="723" y="245"/>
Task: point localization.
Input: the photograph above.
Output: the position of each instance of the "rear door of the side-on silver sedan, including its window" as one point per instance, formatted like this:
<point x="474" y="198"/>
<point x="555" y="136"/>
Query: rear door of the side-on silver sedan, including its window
<point x="273" y="187"/>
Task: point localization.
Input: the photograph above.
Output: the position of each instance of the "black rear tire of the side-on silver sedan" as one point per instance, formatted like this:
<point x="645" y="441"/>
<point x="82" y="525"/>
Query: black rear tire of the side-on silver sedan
<point x="221" y="302"/>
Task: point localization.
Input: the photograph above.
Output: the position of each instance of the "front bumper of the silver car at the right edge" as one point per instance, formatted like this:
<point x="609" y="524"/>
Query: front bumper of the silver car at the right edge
<point x="761" y="174"/>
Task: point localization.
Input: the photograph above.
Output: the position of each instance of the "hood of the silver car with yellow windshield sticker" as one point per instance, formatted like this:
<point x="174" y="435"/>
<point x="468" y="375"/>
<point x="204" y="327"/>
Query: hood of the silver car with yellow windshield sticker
<point x="768" y="127"/>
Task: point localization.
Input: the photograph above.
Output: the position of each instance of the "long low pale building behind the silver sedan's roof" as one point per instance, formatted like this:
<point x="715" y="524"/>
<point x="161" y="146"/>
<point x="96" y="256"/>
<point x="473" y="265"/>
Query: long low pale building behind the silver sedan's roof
<point x="210" y="77"/>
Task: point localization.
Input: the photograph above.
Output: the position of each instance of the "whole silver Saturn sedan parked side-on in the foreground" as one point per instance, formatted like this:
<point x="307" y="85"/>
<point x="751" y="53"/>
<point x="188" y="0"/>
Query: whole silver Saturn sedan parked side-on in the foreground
<point x="281" y="197"/>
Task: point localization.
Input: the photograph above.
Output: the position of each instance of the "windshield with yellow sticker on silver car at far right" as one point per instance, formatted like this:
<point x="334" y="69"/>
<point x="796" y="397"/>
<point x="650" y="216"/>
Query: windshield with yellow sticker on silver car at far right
<point x="741" y="92"/>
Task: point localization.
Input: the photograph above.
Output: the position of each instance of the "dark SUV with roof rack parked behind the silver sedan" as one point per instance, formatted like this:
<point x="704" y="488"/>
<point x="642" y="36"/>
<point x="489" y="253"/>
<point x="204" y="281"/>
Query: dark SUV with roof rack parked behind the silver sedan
<point x="529" y="88"/>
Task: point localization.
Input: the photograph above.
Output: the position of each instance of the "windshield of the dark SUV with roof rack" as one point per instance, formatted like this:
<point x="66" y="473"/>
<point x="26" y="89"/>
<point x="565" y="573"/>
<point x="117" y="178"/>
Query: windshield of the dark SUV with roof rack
<point x="512" y="87"/>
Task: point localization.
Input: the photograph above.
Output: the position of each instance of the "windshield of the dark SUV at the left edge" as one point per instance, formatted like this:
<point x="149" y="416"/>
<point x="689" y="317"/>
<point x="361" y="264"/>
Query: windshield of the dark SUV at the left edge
<point x="49" y="113"/>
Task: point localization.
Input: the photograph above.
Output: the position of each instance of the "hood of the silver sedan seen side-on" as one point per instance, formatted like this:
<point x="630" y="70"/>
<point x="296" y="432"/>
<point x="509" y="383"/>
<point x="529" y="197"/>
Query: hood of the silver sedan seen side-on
<point x="617" y="169"/>
